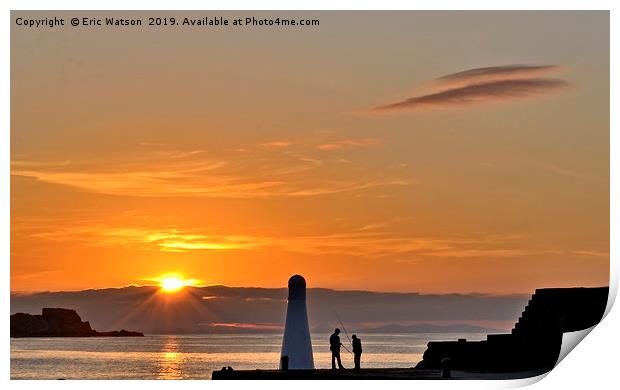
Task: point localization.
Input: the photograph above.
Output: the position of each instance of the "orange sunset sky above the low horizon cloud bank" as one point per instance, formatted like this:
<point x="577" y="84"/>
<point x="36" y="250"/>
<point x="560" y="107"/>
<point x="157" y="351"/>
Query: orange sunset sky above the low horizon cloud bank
<point x="429" y="152"/>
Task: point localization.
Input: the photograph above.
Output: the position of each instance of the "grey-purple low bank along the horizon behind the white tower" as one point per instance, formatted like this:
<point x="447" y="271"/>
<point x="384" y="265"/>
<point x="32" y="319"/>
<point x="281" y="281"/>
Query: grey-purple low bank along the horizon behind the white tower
<point x="221" y="309"/>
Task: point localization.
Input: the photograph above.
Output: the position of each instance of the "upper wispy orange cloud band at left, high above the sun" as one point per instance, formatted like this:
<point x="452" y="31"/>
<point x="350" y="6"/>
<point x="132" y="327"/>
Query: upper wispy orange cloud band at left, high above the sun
<point x="198" y="173"/>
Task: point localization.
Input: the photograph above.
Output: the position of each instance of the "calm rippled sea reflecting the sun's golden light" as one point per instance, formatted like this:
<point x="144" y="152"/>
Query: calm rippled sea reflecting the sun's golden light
<point x="196" y="356"/>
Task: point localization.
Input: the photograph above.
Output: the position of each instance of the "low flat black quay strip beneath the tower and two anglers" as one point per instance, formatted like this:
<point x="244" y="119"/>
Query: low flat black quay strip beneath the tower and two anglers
<point x="367" y="373"/>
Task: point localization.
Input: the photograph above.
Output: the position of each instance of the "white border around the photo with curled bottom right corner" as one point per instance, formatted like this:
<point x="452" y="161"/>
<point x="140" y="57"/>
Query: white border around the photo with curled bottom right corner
<point x="592" y="364"/>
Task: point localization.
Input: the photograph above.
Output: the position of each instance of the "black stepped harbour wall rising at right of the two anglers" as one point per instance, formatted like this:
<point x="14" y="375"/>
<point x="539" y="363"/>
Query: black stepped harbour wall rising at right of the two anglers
<point x="536" y="339"/>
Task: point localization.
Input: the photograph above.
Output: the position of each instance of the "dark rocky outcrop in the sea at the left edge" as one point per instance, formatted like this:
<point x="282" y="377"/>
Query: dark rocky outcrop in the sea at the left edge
<point x="57" y="322"/>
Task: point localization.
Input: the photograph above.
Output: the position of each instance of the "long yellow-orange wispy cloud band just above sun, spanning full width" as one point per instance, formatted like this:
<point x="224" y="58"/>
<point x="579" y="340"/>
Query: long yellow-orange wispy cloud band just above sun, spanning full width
<point x="374" y="240"/>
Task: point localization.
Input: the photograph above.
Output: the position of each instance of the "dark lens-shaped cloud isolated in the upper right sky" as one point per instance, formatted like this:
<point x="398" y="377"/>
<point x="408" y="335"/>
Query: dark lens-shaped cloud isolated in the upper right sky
<point x="482" y="85"/>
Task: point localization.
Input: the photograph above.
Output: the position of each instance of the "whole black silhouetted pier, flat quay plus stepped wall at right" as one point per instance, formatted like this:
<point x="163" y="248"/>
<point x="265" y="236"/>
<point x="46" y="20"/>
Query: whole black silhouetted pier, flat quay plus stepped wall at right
<point x="530" y="349"/>
